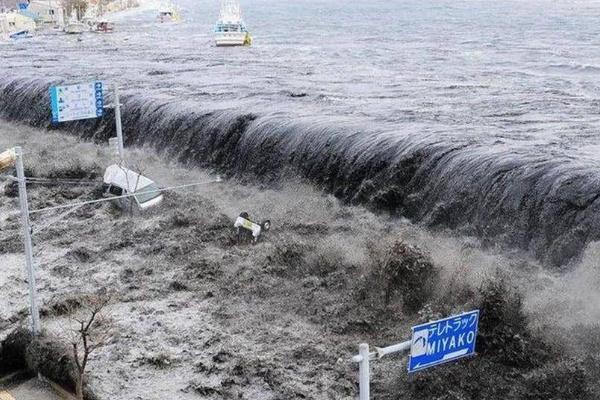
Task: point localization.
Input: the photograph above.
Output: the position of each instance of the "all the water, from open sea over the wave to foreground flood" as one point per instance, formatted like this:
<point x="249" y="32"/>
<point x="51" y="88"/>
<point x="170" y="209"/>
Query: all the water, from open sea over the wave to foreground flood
<point x="475" y="117"/>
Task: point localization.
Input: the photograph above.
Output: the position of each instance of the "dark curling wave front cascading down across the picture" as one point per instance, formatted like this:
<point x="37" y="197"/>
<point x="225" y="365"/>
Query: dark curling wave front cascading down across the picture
<point x="545" y="205"/>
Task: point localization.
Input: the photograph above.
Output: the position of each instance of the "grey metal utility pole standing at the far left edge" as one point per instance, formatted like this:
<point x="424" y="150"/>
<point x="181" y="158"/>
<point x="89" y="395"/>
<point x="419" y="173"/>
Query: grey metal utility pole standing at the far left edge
<point x="35" y="315"/>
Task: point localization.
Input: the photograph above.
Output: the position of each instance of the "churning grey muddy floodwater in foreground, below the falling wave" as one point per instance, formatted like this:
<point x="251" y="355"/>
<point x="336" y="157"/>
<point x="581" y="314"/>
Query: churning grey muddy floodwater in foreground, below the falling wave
<point x="197" y="316"/>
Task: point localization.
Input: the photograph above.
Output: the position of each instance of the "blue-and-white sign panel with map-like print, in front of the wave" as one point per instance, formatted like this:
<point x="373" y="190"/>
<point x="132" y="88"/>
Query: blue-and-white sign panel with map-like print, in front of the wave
<point x="83" y="101"/>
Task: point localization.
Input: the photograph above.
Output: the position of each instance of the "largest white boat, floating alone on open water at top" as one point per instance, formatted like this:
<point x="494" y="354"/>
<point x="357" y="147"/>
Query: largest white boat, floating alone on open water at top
<point x="230" y="29"/>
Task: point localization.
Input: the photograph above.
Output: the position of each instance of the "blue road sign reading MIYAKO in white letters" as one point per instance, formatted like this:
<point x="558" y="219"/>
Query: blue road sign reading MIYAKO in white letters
<point x="439" y="342"/>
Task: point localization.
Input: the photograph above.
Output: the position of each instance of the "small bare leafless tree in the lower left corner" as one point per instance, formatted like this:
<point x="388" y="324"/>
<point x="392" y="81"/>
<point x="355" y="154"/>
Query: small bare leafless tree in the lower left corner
<point x="90" y="330"/>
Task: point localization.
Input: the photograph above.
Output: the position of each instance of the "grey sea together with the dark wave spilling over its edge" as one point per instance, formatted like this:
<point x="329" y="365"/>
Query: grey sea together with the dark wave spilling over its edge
<point x="453" y="113"/>
